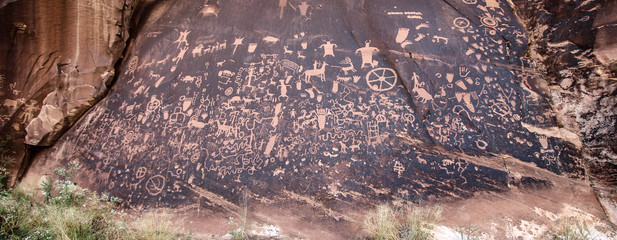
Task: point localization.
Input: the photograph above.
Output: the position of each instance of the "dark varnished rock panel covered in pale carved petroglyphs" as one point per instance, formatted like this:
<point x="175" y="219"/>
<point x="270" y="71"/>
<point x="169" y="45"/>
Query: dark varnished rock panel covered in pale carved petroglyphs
<point x="310" y="93"/>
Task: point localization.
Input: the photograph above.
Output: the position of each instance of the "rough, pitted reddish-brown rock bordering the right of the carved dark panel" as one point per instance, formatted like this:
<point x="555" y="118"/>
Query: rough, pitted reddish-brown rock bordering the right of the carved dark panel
<point x="573" y="49"/>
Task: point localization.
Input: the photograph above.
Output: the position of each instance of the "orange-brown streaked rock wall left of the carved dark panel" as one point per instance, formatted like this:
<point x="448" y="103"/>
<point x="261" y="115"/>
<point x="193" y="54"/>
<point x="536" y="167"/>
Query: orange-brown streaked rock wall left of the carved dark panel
<point x="57" y="58"/>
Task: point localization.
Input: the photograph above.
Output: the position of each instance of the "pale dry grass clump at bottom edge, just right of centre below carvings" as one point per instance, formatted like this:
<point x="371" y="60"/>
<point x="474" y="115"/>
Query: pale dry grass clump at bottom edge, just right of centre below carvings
<point x="389" y="223"/>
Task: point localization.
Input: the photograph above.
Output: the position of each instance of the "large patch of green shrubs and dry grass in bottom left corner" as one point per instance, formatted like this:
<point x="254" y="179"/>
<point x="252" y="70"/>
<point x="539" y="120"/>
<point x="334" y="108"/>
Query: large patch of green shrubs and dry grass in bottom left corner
<point x="66" y="211"/>
